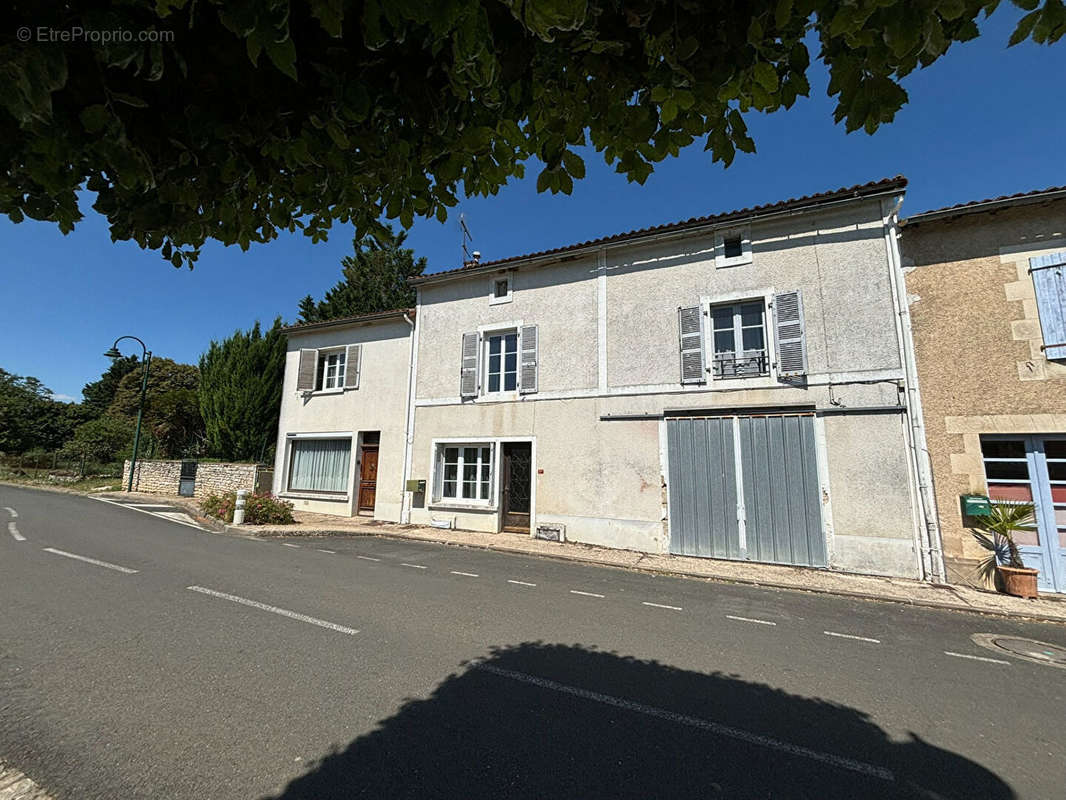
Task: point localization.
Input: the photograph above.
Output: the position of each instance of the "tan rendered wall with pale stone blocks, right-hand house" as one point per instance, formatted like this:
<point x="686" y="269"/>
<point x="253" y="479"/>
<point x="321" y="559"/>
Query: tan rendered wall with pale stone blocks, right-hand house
<point x="977" y="340"/>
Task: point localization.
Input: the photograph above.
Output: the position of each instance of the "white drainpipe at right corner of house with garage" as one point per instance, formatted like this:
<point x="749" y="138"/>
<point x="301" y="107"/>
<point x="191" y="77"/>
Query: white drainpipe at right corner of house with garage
<point x="931" y="546"/>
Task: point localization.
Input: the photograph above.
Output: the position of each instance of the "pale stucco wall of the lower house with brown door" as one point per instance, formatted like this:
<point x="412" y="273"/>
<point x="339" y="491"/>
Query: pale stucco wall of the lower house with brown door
<point x="380" y="404"/>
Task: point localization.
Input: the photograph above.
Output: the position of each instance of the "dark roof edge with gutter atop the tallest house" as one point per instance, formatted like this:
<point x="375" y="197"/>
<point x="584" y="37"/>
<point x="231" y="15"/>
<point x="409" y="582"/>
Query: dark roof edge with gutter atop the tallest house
<point x="806" y="203"/>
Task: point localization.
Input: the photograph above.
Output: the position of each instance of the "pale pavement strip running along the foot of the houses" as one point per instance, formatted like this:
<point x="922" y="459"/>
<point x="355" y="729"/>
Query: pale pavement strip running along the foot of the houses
<point x="866" y="587"/>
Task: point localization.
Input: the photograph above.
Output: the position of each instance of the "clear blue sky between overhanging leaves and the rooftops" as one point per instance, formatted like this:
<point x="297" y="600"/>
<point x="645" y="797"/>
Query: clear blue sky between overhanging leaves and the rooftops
<point x="984" y="121"/>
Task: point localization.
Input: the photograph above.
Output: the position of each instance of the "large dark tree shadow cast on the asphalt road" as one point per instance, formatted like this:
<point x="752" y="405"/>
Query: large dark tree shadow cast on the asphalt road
<point x="557" y="722"/>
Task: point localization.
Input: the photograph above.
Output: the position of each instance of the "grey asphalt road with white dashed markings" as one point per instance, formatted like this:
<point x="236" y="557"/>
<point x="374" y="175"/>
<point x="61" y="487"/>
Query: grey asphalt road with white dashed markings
<point x="182" y="664"/>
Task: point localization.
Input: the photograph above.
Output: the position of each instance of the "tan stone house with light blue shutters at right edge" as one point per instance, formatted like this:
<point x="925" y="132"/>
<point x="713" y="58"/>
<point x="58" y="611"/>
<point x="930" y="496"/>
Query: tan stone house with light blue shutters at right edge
<point x="988" y="292"/>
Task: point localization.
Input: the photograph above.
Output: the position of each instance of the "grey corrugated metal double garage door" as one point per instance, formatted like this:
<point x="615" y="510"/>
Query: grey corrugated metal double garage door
<point x="746" y="488"/>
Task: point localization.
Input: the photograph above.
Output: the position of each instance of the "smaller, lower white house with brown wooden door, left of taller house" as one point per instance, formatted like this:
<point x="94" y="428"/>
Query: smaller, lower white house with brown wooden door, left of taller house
<point x="343" y="429"/>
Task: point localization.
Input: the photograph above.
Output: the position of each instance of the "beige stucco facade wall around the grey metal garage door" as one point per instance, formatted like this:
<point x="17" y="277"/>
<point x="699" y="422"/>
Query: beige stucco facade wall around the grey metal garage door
<point x="605" y="479"/>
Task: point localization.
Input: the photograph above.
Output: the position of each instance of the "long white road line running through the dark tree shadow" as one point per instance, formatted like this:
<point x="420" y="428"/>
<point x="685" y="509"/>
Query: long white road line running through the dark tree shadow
<point x="684" y="719"/>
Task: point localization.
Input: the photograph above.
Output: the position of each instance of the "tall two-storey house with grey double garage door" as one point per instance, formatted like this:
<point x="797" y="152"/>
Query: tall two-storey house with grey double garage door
<point x="736" y="387"/>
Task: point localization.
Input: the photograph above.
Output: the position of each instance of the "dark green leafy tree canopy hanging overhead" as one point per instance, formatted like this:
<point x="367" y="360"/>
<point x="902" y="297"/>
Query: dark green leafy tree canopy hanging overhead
<point x="264" y="116"/>
